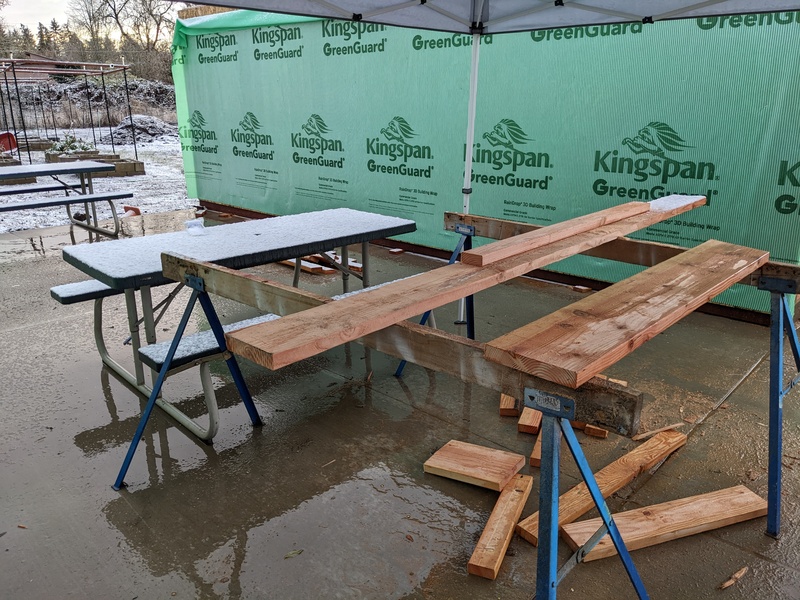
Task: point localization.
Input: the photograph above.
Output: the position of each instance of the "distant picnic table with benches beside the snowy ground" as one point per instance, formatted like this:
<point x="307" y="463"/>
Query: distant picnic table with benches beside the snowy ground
<point x="83" y="191"/>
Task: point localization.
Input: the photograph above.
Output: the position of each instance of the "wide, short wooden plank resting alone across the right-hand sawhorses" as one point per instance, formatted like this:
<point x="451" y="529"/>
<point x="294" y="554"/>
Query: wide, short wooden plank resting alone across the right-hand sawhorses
<point x="574" y="344"/>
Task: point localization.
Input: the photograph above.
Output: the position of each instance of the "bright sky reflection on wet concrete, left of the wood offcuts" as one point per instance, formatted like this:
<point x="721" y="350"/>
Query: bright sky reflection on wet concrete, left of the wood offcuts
<point x="379" y="531"/>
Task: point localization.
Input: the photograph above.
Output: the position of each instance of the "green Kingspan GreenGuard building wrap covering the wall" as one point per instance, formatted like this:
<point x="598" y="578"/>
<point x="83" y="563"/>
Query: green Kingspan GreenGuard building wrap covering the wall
<point x="285" y="114"/>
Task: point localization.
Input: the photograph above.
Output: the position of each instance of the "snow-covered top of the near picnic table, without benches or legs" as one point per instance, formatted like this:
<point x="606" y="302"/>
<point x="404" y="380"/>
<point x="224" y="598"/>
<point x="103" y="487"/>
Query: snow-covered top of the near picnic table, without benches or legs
<point x="134" y="262"/>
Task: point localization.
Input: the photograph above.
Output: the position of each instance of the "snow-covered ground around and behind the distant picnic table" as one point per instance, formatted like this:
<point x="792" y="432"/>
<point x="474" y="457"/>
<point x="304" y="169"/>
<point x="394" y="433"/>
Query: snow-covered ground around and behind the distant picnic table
<point x="163" y="188"/>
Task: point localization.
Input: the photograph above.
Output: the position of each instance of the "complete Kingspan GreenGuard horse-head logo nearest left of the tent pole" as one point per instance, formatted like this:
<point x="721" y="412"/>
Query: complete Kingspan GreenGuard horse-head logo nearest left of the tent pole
<point x="398" y="149"/>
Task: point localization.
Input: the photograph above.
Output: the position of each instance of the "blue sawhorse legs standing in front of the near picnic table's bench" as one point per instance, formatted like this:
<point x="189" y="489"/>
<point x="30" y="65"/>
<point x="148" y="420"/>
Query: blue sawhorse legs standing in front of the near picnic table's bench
<point x="198" y="293"/>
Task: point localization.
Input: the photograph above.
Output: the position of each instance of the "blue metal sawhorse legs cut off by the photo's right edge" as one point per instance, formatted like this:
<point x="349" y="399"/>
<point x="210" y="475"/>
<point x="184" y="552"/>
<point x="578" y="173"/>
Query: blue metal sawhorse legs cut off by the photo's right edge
<point x="781" y="326"/>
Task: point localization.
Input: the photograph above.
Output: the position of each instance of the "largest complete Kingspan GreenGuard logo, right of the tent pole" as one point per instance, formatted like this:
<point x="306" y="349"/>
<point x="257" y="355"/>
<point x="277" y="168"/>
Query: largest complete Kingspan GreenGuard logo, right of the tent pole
<point x="659" y="150"/>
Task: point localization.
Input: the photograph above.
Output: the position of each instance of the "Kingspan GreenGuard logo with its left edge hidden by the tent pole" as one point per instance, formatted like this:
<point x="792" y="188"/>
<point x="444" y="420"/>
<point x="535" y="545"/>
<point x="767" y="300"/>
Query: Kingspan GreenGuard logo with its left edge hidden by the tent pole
<point x="507" y="141"/>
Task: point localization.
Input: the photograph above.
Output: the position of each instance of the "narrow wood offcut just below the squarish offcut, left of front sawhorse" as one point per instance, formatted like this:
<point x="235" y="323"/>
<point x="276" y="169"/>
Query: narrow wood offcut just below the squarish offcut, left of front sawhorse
<point x="491" y="548"/>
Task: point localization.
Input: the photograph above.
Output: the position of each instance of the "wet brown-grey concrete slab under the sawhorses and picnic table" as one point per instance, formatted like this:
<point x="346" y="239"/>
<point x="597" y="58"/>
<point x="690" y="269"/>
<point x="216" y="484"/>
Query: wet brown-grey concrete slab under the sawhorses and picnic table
<point x="329" y="499"/>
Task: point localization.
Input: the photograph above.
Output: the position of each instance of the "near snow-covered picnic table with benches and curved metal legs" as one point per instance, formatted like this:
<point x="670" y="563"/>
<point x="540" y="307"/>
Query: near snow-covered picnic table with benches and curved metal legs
<point x="134" y="264"/>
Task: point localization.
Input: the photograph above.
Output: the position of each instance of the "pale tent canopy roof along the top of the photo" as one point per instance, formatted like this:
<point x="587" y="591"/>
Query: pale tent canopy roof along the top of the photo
<point x="504" y="16"/>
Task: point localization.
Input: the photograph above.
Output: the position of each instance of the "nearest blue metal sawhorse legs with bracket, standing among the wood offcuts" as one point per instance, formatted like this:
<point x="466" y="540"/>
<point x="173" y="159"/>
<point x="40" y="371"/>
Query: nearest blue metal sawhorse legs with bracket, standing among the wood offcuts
<point x="557" y="412"/>
